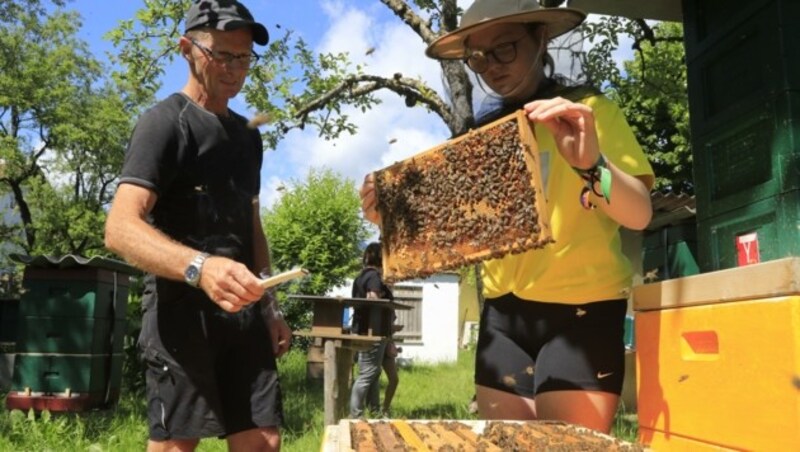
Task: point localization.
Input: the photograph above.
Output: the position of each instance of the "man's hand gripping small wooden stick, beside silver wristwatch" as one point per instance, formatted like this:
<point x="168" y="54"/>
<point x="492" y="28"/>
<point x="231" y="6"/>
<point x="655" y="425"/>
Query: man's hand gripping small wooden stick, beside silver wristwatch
<point x="229" y="284"/>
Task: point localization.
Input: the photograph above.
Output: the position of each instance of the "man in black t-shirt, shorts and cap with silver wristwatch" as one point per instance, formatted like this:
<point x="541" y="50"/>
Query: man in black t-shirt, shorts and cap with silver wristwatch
<point x="186" y="212"/>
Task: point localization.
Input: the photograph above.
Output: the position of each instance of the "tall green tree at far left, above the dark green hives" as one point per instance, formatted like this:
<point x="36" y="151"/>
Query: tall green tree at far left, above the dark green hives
<point x="62" y="133"/>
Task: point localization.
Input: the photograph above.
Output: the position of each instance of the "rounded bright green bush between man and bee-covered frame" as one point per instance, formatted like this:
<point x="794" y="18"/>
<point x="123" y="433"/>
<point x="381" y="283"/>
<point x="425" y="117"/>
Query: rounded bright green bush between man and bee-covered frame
<point x="317" y="225"/>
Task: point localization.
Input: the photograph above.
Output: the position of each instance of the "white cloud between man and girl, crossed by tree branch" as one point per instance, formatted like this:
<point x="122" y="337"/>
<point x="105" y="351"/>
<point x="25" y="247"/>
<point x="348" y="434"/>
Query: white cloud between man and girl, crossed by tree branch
<point x="396" y="49"/>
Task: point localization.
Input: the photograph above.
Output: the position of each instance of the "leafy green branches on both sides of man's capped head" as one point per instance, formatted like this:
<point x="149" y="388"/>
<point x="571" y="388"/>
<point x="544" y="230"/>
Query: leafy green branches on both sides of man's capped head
<point x="288" y="76"/>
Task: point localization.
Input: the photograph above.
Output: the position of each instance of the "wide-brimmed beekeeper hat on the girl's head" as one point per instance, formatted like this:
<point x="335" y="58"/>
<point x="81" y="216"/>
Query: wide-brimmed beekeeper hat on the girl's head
<point x="485" y="13"/>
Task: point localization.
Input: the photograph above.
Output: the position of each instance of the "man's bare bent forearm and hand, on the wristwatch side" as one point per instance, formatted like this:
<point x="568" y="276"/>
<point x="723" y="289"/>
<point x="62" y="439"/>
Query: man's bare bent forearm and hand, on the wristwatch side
<point x="226" y="282"/>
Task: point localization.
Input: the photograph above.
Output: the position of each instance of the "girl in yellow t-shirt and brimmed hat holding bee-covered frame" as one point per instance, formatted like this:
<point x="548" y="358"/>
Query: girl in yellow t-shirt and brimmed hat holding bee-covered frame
<point x="551" y="343"/>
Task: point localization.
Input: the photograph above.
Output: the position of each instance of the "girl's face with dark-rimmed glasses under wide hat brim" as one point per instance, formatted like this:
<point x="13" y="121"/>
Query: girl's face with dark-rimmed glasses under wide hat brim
<point x="508" y="59"/>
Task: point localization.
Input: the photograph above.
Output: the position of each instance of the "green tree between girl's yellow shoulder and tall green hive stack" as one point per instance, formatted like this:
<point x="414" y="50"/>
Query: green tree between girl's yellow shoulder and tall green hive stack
<point x="651" y="90"/>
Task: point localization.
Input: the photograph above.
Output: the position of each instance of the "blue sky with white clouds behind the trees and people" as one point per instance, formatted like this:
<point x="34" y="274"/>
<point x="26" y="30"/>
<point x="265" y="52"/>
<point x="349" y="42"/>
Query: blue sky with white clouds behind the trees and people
<point x="388" y="133"/>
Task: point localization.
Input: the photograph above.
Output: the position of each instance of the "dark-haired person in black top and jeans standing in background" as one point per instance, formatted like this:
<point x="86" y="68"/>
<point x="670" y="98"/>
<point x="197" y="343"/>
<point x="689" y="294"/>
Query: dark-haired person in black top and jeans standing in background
<point x="365" y="393"/>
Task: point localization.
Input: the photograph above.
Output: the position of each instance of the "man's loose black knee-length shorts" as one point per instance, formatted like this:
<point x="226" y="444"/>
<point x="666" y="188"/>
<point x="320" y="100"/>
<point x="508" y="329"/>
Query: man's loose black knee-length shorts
<point x="208" y="372"/>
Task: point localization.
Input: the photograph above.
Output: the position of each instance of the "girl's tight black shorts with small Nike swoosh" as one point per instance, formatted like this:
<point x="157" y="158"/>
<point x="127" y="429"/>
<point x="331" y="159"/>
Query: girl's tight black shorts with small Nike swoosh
<point x="527" y="348"/>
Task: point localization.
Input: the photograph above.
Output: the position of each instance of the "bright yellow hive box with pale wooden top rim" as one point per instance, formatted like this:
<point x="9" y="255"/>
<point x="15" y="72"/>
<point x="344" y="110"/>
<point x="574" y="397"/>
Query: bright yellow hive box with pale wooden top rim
<point x="718" y="359"/>
